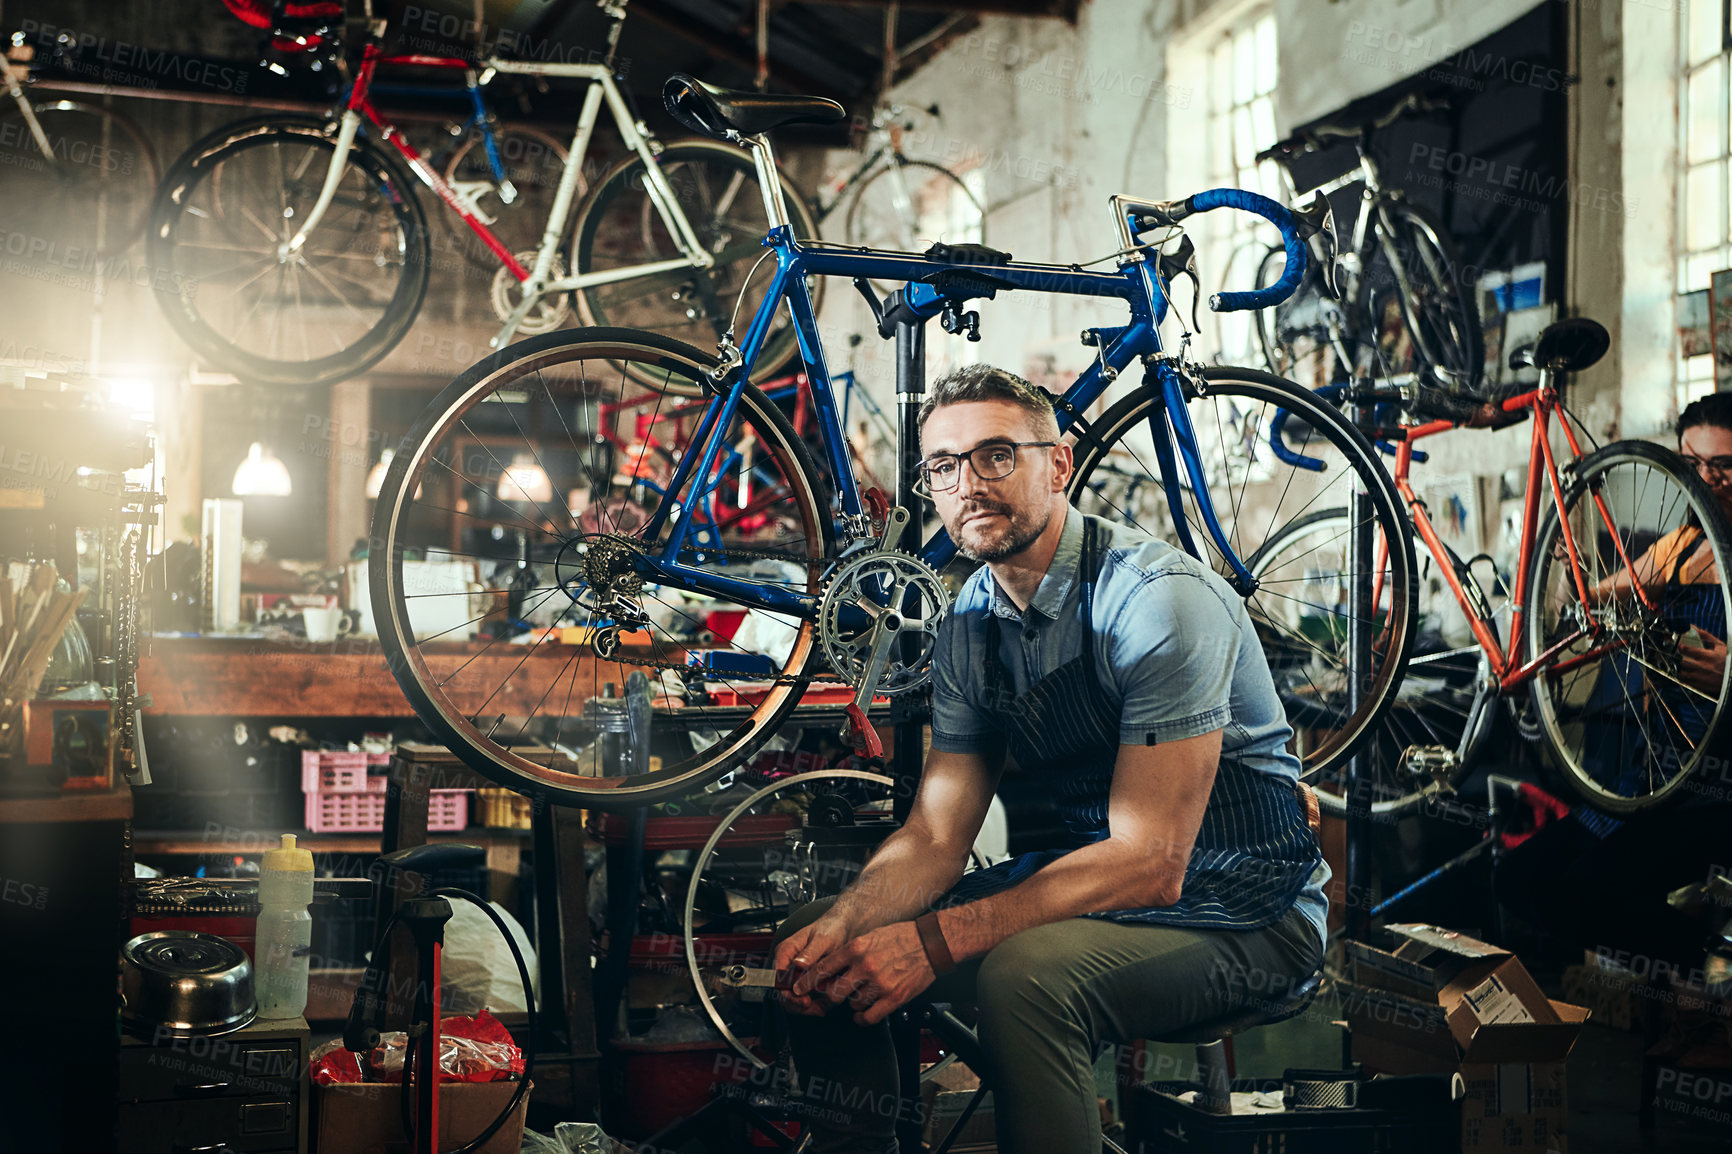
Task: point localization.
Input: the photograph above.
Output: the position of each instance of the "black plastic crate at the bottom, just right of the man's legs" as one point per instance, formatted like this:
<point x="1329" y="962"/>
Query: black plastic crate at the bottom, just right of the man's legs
<point x="1160" y="1124"/>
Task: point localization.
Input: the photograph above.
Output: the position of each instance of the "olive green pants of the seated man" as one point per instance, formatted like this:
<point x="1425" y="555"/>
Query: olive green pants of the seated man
<point x="1047" y="1001"/>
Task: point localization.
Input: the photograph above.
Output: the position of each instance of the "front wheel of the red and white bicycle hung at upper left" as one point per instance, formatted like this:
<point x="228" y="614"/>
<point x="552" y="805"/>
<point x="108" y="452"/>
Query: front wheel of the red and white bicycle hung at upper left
<point x="209" y="209"/>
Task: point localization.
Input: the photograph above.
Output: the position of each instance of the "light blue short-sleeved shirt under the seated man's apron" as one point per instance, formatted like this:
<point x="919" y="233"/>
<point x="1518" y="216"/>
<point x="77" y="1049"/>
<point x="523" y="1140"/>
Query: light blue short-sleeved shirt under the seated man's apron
<point x="1175" y="651"/>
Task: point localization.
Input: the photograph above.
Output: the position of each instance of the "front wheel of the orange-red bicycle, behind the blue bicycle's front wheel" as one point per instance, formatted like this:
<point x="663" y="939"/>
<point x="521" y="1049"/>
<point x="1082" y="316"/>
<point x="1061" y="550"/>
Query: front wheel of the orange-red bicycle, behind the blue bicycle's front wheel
<point x="1437" y="722"/>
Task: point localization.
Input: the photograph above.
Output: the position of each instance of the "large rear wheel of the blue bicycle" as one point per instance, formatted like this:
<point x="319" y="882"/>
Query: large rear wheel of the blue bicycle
<point x="456" y="453"/>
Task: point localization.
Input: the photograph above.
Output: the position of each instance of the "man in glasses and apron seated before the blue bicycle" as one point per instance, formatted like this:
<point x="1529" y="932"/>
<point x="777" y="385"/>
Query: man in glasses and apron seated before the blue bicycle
<point x="1130" y="677"/>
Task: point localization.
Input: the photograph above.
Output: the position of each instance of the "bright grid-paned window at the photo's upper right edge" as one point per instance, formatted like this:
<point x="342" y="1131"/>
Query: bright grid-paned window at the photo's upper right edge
<point x="1705" y="155"/>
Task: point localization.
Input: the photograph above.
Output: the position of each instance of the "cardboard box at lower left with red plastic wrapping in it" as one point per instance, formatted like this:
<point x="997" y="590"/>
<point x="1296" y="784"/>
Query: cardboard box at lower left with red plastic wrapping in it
<point x="366" y="1118"/>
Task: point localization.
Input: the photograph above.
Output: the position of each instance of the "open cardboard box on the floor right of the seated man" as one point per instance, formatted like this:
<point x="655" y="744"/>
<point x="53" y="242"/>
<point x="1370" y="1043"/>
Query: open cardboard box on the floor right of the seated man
<point x="1437" y="1002"/>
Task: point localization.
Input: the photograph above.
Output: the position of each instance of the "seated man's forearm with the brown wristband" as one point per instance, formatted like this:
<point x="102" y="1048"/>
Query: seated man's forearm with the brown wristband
<point x="1106" y="876"/>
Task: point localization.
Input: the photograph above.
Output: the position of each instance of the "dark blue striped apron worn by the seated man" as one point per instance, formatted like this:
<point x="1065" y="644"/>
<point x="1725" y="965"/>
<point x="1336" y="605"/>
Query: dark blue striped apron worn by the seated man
<point x="1255" y="852"/>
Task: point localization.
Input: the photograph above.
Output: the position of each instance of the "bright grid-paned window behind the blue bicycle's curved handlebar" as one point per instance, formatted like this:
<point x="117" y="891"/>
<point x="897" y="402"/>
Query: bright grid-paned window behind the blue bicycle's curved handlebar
<point x="1239" y="124"/>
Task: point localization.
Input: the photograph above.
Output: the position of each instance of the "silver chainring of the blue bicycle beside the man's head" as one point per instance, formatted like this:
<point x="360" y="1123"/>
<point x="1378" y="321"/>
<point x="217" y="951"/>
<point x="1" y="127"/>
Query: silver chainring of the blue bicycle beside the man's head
<point x="858" y="599"/>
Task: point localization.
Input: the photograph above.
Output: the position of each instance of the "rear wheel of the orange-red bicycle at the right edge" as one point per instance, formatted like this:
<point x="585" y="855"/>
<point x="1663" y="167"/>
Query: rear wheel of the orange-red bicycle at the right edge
<point x="1587" y="718"/>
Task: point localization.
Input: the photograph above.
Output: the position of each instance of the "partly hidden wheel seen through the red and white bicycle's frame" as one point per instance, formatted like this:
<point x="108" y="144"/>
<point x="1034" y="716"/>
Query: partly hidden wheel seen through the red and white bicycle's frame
<point x="533" y="160"/>
